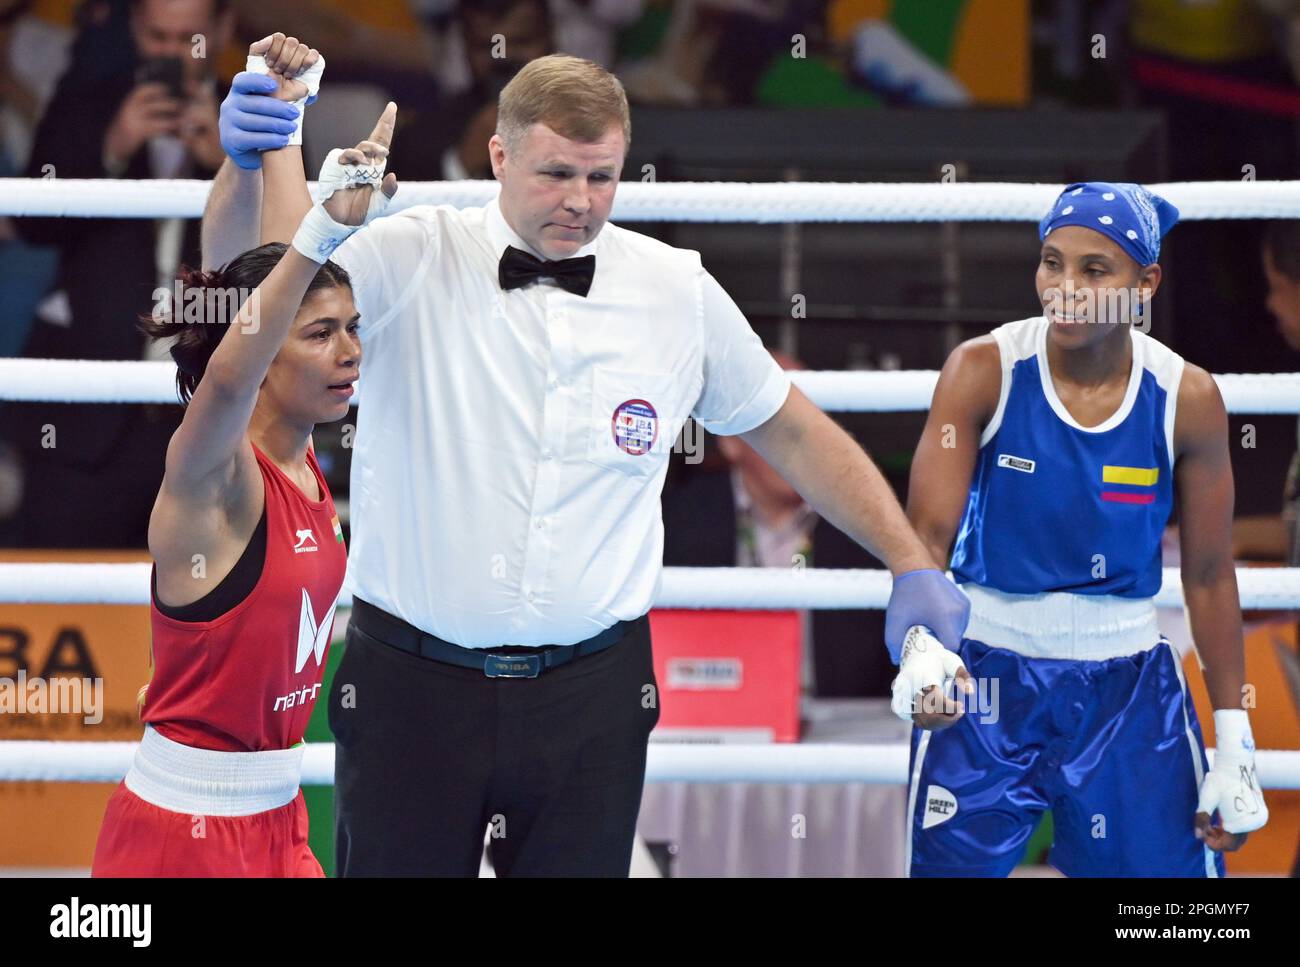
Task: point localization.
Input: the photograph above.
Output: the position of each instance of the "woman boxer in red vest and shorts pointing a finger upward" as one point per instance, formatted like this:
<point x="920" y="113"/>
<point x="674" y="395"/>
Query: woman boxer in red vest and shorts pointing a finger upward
<point x="248" y="549"/>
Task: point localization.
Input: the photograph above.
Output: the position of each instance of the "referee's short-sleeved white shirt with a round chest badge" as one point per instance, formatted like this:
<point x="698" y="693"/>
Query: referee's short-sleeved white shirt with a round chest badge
<point x="512" y="448"/>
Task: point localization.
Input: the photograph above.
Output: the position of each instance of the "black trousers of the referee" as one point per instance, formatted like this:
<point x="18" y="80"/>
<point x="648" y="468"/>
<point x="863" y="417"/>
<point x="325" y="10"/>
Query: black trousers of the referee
<point x="431" y="758"/>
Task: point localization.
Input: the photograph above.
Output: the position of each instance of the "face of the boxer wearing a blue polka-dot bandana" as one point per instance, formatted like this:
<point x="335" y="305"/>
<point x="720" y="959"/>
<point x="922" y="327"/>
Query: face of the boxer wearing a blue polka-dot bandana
<point x="1087" y="285"/>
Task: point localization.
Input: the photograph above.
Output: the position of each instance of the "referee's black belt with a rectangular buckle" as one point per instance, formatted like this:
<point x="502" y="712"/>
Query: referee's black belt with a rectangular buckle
<point x="506" y="662"/>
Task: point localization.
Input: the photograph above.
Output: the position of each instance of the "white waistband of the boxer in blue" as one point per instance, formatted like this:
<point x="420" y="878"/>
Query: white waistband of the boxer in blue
<point x="1060" y="625"/>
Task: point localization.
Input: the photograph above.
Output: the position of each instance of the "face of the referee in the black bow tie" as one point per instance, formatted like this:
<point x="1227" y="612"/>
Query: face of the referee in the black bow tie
<point x="556" y="193"/>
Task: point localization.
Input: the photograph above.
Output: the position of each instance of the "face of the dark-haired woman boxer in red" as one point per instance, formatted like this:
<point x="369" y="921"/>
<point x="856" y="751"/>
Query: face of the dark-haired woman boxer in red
<point x="311" y="378"/>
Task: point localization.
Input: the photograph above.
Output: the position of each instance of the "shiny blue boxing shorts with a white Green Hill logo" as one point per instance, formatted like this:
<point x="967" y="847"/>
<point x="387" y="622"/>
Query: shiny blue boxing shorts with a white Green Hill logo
<point x="1111" y="747"/>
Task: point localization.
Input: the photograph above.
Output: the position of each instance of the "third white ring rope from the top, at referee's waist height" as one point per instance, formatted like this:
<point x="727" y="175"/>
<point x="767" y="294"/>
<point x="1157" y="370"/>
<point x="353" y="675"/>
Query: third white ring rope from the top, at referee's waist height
<point x="759" y="589"/>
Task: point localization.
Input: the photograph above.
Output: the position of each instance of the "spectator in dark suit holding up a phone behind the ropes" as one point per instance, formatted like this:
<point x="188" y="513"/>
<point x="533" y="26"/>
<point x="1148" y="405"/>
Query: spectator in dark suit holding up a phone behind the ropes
<point x="90" y="470"/>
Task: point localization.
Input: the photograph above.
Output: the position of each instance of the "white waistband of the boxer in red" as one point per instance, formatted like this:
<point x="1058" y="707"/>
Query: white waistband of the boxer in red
<point x="207" y="783"/>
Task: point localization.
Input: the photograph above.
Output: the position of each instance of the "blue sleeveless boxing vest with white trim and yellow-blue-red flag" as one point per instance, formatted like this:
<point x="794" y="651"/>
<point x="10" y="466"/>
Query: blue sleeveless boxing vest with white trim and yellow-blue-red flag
<point x="1059" y="508"/>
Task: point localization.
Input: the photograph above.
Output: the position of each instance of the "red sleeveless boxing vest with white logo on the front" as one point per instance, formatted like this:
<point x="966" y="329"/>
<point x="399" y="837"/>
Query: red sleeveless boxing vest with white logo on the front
<point x="248" y="682"/>
